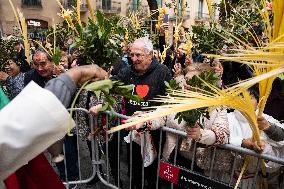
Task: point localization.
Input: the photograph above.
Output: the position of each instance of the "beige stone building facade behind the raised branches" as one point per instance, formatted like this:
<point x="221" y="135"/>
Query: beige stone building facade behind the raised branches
<point x="41" y="14"/>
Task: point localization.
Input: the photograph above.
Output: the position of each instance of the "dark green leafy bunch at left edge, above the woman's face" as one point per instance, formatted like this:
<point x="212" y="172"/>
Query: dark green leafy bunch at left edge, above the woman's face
<point x="8" y="50"/>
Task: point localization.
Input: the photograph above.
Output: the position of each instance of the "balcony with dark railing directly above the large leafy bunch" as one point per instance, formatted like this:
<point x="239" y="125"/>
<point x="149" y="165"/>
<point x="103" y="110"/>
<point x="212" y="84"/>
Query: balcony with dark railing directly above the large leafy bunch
<point x="111" y="7"/>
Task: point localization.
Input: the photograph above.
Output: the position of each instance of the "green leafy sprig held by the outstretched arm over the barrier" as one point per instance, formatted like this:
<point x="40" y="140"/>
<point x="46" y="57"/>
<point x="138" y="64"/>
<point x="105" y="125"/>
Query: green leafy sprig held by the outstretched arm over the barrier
<point x="111" y="89"/>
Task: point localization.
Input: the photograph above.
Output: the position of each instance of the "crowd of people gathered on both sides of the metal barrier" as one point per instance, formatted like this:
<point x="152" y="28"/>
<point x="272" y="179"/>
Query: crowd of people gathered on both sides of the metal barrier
<point x="141" y="66"/>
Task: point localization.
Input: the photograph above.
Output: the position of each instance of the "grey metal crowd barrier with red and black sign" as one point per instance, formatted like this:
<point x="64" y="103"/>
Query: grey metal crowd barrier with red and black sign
<point x="186" y="176"/>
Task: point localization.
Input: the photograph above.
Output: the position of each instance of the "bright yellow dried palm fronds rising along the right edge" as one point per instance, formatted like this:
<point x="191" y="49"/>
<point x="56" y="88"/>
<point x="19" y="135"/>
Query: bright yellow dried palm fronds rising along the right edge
<point x="268" y="56"/>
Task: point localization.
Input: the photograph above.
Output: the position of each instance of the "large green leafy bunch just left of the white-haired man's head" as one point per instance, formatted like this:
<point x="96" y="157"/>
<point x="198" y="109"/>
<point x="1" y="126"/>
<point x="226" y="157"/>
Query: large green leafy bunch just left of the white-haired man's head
<point x="99" y="42"/>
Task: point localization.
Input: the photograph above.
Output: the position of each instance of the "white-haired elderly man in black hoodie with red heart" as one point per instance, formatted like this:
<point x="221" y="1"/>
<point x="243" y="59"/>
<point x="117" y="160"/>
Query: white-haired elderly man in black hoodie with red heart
<point x="148" y="76"/>
